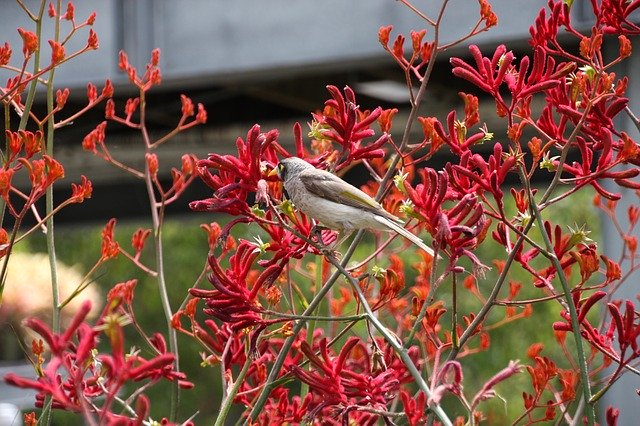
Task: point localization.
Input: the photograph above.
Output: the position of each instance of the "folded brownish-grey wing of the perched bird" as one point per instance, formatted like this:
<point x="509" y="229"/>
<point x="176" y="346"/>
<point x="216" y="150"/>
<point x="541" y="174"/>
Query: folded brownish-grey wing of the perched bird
<point x="326" y="185"/>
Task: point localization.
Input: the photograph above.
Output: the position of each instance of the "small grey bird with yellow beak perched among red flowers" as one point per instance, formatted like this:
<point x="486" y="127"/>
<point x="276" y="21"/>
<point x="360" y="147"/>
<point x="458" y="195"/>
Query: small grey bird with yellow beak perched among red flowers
<point x="335" y="203"/>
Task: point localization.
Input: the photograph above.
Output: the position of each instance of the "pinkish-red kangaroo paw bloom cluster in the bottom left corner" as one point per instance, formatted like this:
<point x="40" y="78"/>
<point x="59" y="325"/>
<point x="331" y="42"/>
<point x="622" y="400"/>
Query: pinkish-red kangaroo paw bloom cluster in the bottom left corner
<point x="81" y="379"/>
